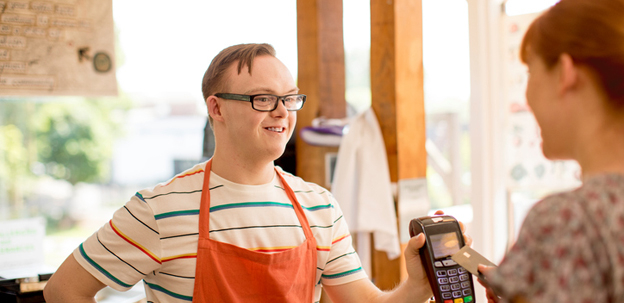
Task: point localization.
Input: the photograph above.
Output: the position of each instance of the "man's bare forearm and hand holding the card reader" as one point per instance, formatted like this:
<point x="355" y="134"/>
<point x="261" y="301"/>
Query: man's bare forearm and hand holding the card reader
<point x="415" y="289"/>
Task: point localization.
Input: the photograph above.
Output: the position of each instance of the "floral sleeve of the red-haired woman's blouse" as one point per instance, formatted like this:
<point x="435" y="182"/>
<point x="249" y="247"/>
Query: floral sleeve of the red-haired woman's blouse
<point x="552" y="260"/>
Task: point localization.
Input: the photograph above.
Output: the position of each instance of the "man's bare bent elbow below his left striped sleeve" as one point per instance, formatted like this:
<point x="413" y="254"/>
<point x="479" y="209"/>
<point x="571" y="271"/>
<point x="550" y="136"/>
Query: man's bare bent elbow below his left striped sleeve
<point x="72" y="283"/>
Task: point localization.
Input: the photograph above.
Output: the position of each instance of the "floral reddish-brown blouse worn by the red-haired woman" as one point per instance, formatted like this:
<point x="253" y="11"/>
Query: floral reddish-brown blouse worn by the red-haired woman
<point x="570" y="247"/>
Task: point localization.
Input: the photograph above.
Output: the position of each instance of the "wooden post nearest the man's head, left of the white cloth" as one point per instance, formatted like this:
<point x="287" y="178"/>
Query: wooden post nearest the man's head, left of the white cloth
<point x="321" y="77"/>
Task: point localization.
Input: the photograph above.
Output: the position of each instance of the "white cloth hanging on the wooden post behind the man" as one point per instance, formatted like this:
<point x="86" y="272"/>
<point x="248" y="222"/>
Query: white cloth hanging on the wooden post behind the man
<point x="362" y="187"/>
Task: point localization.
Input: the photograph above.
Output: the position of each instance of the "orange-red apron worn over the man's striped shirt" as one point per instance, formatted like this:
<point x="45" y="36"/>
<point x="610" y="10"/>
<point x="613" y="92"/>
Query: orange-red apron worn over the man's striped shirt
<point x="228" y="273"/>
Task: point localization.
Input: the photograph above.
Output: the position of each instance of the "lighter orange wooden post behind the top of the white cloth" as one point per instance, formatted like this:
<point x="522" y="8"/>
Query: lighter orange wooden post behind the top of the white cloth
<point x="398" y="101"/>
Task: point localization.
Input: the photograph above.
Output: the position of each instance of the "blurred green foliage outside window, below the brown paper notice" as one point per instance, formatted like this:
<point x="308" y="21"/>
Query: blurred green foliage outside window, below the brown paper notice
<point x="69" y="139"/>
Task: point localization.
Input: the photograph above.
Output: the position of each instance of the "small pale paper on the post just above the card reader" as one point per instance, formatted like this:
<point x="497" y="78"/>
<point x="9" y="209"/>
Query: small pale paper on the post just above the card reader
<point x="413" y="203"/>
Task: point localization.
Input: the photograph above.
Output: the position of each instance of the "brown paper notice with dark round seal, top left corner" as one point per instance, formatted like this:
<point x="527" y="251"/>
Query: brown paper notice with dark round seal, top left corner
<point x="57" y="48"/>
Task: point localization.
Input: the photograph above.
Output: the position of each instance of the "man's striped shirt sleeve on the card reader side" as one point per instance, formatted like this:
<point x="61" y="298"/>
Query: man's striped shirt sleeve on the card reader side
<point x="343" y="264"/>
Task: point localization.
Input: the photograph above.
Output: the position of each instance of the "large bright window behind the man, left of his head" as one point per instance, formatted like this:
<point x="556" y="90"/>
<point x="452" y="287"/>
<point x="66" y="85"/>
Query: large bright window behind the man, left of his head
<point x="74" y="160"/>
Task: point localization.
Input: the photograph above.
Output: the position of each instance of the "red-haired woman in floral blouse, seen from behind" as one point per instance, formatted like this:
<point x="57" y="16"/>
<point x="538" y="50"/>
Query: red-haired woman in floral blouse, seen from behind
<point x="571" y="245"/>
